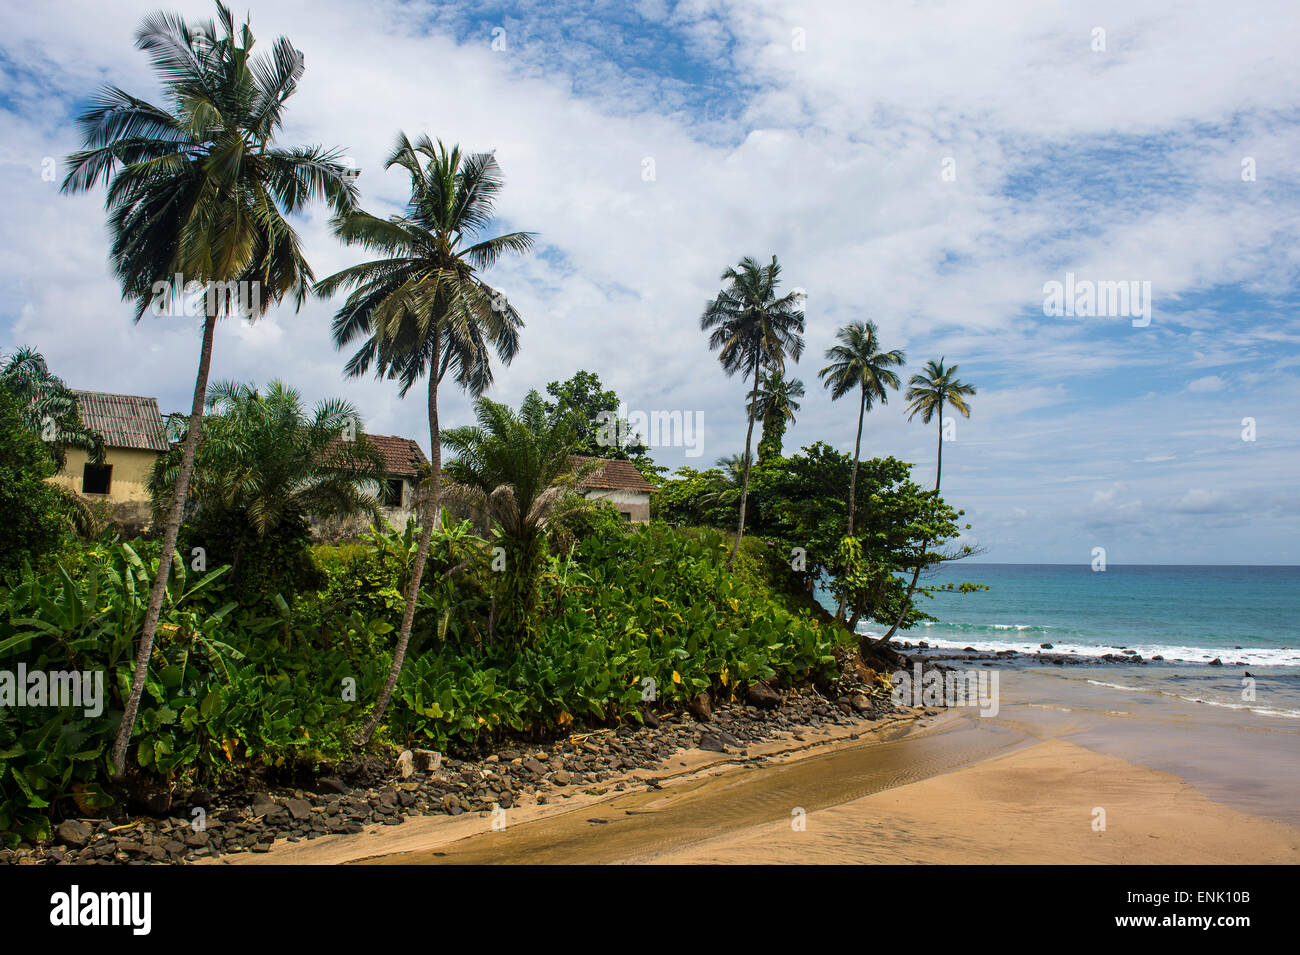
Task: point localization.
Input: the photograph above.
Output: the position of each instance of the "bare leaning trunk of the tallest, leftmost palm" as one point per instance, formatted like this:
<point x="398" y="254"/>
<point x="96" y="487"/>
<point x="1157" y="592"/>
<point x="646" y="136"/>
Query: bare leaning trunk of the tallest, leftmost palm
<point x="172" y="531"/>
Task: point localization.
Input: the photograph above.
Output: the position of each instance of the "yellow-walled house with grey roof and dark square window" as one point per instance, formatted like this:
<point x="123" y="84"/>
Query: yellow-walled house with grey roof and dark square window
<point x="135" y="437"/>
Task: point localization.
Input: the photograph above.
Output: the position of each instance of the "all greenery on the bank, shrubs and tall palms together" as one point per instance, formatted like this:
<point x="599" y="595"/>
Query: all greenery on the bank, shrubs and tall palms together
<point x="231" y="644"/>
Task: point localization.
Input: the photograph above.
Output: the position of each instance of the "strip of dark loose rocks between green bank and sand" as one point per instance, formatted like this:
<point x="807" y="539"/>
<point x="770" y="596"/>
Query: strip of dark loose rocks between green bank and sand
<point x="200" y="824"/>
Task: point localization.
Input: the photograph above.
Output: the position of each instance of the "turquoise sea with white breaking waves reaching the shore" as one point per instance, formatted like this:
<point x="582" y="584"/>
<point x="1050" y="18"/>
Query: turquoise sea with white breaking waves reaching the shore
<point x="1249" y="618"/>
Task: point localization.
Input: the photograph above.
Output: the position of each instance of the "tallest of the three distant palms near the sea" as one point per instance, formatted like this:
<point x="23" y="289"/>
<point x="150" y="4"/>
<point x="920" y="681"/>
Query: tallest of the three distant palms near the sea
<point x="753" y="329"/>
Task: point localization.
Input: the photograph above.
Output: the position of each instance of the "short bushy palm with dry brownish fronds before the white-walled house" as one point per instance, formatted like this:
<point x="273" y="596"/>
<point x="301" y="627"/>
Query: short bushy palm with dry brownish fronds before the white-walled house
<point x="518" y="472"/>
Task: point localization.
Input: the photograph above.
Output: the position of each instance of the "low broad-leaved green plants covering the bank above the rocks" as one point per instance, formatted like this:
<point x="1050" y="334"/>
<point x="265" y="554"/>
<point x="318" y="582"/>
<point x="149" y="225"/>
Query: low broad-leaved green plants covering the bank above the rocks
<point x="629" y="619"/>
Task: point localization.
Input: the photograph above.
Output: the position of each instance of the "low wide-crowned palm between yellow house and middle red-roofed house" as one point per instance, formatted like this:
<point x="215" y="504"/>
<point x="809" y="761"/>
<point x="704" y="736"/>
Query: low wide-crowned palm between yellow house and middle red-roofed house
<point x="271" y="463"/>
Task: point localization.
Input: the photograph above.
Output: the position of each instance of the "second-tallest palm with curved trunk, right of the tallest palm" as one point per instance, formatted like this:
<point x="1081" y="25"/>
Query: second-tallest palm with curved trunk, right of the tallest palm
<point x="423" y="310"/>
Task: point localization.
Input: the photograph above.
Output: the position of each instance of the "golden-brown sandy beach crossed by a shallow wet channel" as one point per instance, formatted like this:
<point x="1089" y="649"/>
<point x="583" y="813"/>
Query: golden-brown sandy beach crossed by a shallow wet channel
<point x="1059" y="776"/>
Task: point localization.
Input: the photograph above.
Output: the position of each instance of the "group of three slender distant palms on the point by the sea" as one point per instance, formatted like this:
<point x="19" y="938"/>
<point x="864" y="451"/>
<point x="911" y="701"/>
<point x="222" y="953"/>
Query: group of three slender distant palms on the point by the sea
<point x="756" y="329"/>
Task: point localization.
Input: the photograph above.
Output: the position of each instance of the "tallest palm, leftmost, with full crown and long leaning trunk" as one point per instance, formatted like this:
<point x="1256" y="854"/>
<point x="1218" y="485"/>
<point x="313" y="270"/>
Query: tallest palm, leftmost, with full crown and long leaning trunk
<point x="200" y="190"/>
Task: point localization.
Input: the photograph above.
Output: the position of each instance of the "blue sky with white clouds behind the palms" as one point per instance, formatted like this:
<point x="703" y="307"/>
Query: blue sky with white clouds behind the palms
<point x="929" y="166"/>
